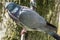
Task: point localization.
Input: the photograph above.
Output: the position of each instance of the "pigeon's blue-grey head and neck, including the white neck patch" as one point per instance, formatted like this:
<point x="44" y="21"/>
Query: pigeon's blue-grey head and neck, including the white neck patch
<point x="12" y="8"/>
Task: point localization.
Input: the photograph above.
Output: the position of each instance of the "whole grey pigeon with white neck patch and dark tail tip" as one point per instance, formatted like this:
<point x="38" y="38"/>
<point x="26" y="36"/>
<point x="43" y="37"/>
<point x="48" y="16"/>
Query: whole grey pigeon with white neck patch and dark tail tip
<point x="30" y="19"/>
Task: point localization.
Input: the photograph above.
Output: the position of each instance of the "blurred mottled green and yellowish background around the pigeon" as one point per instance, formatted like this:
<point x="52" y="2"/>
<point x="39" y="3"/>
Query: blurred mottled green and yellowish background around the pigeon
<point x="46" y="8"/>
